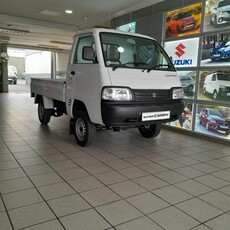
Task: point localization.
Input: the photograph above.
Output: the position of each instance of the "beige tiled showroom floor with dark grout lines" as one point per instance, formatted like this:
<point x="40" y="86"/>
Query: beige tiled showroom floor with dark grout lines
<point x="123" y="182"/>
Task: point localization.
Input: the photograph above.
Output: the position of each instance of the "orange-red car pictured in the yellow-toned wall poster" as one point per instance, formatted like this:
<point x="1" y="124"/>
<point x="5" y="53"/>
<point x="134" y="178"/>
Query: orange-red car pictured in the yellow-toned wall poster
<point x="181" y="22"/>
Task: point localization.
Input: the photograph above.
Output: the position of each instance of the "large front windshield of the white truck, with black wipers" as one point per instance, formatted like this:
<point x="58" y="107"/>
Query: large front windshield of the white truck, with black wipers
<point x="127" y="51"/>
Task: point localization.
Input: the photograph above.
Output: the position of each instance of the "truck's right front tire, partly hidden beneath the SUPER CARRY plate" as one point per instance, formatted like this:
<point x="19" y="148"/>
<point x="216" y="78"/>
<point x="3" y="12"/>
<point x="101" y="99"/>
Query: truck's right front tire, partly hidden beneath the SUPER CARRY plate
<point x="149" y="131"/>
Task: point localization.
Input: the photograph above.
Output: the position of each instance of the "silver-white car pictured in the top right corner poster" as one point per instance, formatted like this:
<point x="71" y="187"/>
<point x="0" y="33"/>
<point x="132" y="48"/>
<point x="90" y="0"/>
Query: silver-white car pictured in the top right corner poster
<point x="221" y="12"/>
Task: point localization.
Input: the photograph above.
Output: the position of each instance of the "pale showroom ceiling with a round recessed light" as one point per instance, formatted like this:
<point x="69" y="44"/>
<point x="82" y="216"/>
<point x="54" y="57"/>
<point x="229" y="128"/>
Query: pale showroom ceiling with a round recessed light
<point x="44" y="23"/>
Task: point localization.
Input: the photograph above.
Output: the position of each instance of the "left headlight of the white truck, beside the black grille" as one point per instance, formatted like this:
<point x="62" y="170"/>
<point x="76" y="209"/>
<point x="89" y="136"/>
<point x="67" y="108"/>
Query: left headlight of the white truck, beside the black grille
<point x="116" y="94"/>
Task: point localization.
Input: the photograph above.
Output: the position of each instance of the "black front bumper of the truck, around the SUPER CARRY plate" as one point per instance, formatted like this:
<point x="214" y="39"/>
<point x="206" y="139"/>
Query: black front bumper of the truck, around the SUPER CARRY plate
<point x="117" y="114"/>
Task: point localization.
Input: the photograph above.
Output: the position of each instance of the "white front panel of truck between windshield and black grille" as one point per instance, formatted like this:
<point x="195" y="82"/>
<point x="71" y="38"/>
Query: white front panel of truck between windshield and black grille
<point x="138" y="79"/>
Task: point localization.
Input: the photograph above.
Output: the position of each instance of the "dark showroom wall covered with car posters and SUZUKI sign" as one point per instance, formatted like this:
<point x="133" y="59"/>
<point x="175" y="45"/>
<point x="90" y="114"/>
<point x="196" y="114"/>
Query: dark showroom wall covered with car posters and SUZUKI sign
<point x="199" y="45"/>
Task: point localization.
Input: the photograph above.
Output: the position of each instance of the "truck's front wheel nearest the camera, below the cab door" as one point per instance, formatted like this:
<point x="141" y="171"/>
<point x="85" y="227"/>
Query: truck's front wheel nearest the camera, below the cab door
<point x="84" y="129"/>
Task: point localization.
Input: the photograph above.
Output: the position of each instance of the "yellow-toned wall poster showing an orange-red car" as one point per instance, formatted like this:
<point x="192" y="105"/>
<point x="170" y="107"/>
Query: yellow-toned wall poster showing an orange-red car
<point x="183" y="21"/>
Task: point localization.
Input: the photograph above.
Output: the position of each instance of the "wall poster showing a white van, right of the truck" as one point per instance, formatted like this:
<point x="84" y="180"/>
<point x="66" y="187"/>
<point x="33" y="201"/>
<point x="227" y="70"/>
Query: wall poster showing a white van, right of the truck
<point x="214" y="85"/>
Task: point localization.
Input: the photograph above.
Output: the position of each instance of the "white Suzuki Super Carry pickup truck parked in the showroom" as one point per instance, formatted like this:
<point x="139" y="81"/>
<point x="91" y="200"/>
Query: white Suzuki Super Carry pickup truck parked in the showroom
<point x="115" y="80"/>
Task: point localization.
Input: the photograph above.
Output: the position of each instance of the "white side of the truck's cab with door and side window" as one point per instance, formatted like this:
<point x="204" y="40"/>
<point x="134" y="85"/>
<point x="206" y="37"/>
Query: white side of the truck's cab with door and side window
<point x="83" y="79"/>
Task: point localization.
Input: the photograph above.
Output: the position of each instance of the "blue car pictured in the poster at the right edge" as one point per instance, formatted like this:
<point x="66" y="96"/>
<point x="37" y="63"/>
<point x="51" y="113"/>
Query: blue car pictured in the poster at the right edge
<point x="221" y="52"/>
